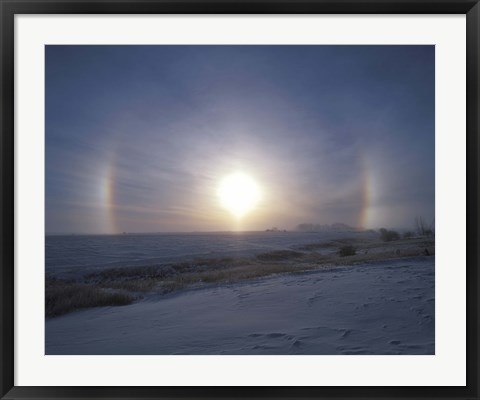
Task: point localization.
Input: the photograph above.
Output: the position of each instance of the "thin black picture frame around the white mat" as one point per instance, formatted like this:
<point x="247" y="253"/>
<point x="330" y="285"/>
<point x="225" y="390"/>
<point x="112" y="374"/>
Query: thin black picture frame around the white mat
<point x="9" y="8"/>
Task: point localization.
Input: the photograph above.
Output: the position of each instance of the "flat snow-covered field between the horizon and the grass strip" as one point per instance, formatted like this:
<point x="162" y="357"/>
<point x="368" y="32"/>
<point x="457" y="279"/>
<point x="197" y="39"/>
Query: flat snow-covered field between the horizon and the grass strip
<point x="74" y="255"/>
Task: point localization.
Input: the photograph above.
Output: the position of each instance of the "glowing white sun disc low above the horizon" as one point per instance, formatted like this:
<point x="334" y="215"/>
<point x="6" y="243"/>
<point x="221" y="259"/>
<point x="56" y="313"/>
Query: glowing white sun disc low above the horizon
<point x="238" y="193"/>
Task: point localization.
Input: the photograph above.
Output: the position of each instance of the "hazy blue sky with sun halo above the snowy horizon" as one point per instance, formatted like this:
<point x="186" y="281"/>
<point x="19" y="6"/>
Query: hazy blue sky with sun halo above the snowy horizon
<point x="139" y="138"/>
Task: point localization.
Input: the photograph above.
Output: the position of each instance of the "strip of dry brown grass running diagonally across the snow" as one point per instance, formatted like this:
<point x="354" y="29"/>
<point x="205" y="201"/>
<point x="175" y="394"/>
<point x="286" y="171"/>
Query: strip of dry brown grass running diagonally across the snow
<point x="125" y="283"/>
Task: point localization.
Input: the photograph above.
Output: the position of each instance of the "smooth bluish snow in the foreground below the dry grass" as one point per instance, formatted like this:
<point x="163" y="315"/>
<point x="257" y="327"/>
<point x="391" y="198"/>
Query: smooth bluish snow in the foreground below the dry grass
<point x="385" y="307"/>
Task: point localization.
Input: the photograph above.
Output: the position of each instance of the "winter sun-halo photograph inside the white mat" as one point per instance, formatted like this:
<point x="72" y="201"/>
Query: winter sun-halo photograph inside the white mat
<point x="239" y="200"/>
